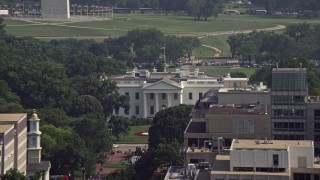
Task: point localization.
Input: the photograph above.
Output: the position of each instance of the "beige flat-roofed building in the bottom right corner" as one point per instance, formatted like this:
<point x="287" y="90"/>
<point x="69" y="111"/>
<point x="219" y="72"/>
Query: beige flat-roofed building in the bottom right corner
<point x="265" y="159"/>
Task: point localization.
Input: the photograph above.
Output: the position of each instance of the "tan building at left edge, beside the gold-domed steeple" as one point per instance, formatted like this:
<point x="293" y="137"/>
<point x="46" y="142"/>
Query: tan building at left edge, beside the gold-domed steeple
<point x="13" y="142"/>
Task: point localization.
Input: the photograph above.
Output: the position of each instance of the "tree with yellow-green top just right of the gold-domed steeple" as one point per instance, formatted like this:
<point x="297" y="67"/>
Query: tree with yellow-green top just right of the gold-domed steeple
<point x="66" y="150"/>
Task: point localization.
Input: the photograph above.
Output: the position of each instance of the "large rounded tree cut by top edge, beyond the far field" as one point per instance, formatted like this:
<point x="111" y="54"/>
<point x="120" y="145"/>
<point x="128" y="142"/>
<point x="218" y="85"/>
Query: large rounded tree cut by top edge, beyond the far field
<point x="202" y="9"/>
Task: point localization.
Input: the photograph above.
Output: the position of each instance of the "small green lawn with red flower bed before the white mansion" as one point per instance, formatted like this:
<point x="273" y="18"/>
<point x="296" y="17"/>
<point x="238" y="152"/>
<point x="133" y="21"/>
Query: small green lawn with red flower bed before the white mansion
<point x="131" y="138"/>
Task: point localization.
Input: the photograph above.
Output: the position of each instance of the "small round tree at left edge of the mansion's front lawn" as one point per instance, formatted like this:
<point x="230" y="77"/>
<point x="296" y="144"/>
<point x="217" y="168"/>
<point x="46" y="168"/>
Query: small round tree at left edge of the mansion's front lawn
<point x="119" y="126"/>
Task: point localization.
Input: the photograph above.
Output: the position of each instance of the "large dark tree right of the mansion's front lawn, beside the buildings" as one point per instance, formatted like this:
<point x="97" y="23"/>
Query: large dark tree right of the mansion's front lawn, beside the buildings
<point x="168" y="125"/>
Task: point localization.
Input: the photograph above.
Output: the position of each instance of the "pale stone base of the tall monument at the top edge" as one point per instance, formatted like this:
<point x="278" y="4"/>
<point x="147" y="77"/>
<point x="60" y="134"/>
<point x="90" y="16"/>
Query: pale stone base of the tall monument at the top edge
<point x="55" y="9"/>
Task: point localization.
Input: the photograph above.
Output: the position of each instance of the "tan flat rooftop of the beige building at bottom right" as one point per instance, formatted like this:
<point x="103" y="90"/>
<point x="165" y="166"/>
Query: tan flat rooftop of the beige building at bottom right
<point x="269" y="144"/>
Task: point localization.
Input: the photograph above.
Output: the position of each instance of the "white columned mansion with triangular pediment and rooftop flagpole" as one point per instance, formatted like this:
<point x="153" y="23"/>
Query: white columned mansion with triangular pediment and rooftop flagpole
<point x="150" y="92"/>
